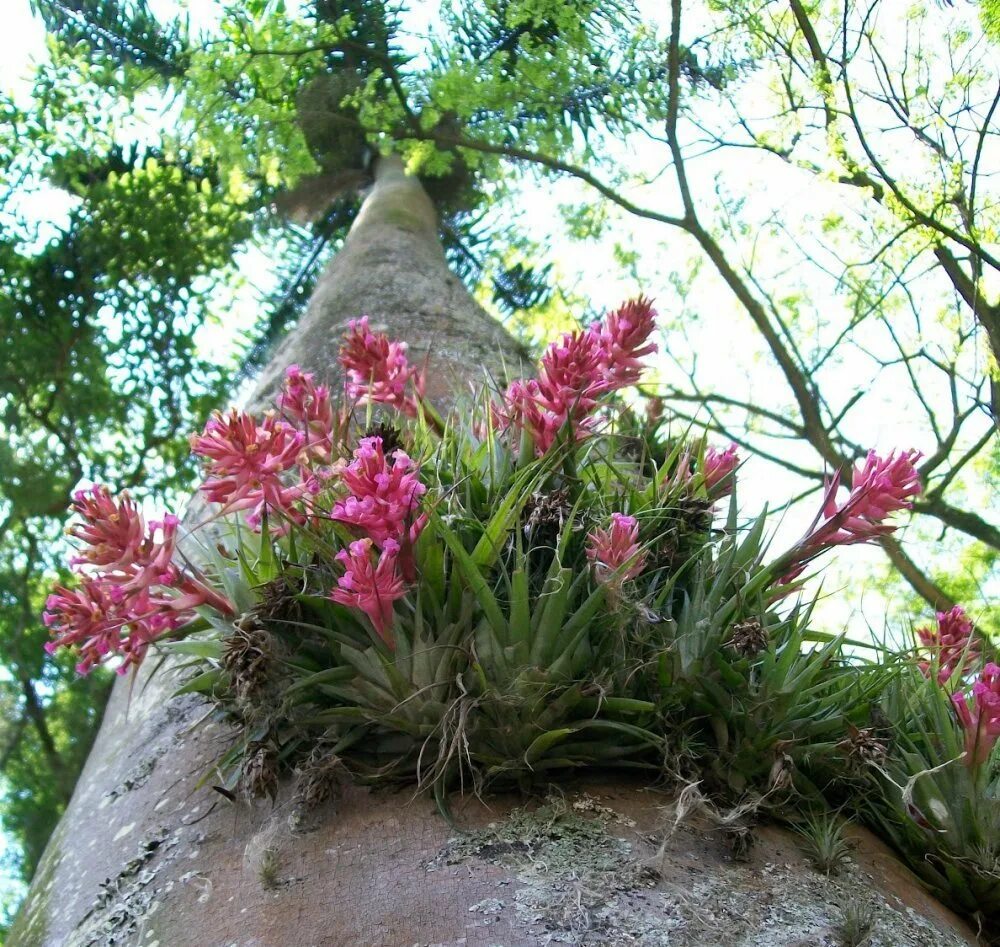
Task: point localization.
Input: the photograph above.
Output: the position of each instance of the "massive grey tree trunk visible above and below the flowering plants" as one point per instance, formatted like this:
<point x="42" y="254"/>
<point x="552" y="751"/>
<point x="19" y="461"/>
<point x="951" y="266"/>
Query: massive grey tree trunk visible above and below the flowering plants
<point x="146" y="856"/>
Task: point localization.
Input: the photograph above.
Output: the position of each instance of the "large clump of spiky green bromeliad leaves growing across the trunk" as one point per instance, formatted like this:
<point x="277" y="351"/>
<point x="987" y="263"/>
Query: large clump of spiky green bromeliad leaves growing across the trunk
<point x="510" y="662"/>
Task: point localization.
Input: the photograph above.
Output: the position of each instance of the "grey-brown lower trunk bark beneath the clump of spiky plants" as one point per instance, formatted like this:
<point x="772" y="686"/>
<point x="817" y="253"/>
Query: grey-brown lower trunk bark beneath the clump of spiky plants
<point x="597" y="863"/>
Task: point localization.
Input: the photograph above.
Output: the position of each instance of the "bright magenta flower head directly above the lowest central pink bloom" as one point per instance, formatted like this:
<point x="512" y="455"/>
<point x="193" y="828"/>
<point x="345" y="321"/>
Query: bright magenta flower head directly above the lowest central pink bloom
<point x="384" y="498"/>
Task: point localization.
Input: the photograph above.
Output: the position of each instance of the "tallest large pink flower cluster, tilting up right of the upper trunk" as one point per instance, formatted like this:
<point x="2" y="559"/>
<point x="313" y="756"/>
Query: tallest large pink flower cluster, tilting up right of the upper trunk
<point x="575" y="372"/>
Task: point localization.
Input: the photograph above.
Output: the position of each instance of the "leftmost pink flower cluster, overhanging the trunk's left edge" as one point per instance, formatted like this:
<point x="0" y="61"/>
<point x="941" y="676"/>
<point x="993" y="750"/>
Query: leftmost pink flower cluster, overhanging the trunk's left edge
<point x="130" y="591"/>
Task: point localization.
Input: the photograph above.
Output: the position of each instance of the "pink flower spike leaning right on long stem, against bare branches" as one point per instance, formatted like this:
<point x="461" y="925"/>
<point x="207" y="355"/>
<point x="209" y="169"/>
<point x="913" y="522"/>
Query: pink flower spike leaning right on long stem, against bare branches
<point x="881" y="486"/>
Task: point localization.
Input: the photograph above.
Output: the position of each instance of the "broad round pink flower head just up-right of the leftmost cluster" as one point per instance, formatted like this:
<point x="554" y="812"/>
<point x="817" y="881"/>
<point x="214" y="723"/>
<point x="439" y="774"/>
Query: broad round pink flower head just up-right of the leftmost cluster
<point x="246" y="461"/>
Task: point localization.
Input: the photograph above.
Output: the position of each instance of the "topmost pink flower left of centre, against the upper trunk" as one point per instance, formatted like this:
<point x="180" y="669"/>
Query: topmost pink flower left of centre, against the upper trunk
<point x="377" y="369"/>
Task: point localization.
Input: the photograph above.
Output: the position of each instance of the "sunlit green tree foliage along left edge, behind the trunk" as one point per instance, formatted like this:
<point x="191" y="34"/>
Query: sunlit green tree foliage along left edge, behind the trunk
<point x="103" y="298"/>
